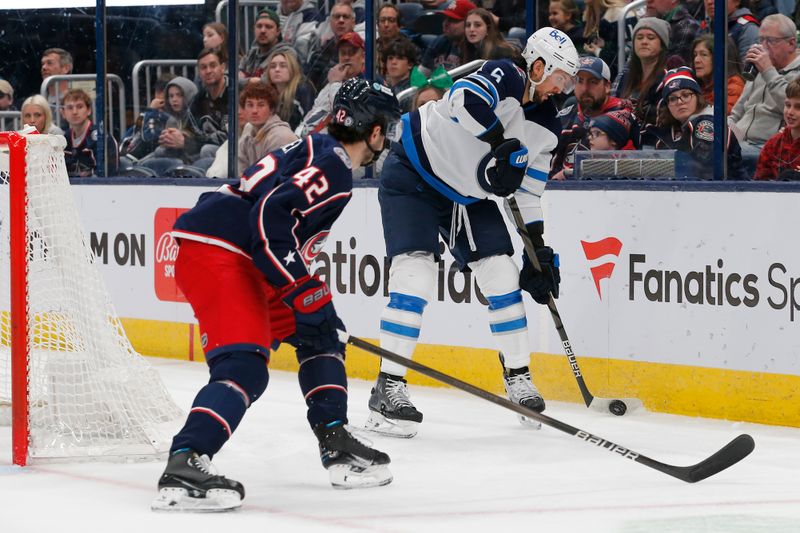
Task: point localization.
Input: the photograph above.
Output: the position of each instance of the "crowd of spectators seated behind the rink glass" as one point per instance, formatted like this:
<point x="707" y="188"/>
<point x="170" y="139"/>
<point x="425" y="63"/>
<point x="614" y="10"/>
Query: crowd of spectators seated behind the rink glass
<point x="657" y="93"/>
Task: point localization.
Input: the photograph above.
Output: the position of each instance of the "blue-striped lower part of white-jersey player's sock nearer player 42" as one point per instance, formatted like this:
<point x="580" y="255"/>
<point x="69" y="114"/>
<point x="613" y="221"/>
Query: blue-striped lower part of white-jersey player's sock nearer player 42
<point x="400" y="324"/>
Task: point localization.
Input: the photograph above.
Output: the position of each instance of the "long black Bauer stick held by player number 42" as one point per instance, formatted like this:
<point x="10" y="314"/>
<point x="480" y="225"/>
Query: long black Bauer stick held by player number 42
<point x="729" y="455"/>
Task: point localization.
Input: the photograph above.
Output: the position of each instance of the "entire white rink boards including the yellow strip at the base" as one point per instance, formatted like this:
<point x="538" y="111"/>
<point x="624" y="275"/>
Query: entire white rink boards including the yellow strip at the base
<point x="686" y="300"/>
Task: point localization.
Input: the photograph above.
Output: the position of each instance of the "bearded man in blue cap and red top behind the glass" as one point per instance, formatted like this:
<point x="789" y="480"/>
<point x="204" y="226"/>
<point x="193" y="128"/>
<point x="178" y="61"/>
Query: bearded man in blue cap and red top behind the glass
<point x="592" y="98"/>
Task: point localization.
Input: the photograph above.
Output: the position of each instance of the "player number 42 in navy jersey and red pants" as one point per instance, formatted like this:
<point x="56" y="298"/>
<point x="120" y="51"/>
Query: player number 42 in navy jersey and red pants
<point x="243" y="265"/>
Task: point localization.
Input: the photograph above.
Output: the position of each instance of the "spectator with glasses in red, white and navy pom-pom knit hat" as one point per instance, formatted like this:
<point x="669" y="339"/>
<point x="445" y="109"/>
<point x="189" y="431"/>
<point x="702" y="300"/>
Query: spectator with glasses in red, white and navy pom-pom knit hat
<point x="686" y="123"/>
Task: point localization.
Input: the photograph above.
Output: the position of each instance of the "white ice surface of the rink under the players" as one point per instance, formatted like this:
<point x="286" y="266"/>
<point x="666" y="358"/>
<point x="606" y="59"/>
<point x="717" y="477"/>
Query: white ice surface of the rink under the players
<point x="471" y="468"/>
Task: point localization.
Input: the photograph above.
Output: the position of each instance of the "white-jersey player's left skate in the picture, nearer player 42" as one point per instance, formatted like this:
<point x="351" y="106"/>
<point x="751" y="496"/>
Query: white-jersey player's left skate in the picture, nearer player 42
<point x="391" y="412"/>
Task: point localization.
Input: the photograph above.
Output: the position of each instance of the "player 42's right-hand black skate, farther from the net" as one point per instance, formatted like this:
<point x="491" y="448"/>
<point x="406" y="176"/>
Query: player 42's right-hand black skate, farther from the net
<point x="350" y="462"/>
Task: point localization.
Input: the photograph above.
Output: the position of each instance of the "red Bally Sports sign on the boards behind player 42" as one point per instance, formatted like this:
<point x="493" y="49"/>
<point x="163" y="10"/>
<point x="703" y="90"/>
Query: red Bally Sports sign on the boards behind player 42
<point x="165" y="253"/>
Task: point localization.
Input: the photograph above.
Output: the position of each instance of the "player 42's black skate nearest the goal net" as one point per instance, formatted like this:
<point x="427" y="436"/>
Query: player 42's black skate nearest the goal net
<point x="191" y="483"/>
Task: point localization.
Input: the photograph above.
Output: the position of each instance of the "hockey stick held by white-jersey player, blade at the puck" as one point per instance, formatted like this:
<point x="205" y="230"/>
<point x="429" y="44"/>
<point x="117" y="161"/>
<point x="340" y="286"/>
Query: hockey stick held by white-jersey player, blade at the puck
<point x="618" y="406"/>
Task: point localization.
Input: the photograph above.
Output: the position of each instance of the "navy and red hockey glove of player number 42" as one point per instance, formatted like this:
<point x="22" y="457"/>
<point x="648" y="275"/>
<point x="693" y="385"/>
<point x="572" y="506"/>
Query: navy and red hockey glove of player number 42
<point x="316" y="322"/>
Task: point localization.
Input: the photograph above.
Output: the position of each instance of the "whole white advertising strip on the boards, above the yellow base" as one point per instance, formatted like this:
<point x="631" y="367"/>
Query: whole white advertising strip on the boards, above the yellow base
<point x="688" y="278"/>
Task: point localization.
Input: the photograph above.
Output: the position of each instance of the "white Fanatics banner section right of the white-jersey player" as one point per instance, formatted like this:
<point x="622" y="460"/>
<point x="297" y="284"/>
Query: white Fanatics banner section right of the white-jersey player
<point x="695" y="278"/>
